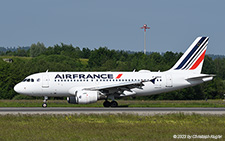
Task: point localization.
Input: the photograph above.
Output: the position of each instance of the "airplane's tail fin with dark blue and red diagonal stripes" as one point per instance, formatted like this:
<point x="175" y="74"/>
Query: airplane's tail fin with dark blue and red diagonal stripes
<point x="193" y="58"/>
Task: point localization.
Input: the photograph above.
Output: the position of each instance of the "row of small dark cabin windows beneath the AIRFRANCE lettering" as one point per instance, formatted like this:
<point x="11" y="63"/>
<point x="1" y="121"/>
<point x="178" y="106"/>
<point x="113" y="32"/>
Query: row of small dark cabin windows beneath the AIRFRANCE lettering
<point x="86" y="80"/>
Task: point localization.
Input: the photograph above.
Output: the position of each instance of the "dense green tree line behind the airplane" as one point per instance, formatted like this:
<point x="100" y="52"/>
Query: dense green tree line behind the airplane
<point x="62" y="57"/>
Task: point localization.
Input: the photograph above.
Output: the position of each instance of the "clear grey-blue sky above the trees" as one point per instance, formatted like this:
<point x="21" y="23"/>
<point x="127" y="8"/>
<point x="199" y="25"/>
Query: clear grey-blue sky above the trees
<point x="174" y="24"/>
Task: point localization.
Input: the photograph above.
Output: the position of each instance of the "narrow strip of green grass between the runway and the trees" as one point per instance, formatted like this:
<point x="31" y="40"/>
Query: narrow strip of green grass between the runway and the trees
<point x="122" y="103"/>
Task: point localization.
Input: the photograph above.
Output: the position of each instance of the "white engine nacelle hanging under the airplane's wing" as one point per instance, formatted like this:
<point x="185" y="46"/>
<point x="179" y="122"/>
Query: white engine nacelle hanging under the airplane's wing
<point x="84" y="97"/>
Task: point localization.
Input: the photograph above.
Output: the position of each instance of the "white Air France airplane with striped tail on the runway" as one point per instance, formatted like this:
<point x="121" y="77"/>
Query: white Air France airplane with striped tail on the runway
<point x="89" y="87"/>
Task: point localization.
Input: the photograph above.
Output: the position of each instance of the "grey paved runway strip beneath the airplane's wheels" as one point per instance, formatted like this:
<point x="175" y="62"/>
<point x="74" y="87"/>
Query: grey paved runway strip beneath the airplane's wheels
<point x="118" y="110"/>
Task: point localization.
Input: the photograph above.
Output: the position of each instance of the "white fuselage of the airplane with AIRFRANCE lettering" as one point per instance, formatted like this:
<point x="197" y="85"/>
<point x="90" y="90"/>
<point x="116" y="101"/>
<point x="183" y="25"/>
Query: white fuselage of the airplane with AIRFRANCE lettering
<point x="46" y="84"/>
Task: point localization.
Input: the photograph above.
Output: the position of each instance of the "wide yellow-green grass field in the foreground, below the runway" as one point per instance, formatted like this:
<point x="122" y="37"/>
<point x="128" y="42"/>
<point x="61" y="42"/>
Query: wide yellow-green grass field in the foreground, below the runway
<point x="108" y="127"/>
